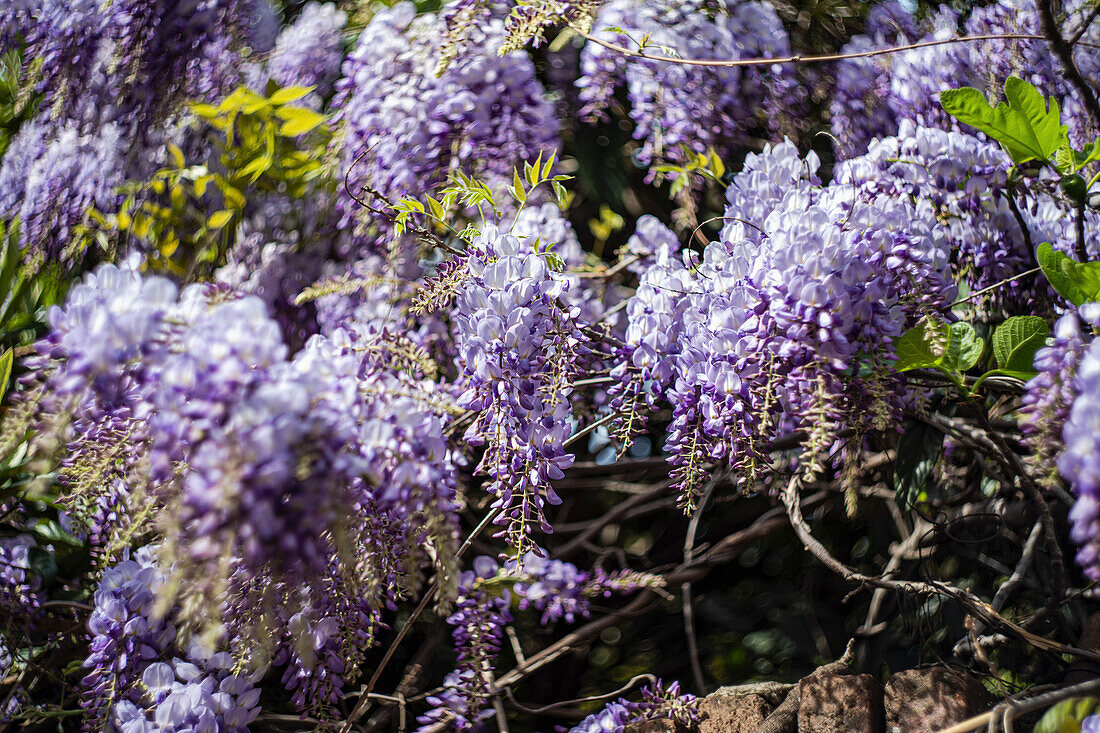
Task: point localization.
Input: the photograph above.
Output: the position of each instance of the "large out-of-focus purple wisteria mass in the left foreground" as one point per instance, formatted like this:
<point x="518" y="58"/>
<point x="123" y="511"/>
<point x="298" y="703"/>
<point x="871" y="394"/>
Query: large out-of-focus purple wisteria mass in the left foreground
<point x="311" y="483"/>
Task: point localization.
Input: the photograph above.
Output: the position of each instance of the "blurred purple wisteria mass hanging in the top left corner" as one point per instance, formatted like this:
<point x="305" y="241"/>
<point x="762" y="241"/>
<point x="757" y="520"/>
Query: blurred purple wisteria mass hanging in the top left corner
<point x="114" y="79"/>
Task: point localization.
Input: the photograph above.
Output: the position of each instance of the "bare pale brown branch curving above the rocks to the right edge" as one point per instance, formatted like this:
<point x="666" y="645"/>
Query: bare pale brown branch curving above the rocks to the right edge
<point x="975" y="606"/>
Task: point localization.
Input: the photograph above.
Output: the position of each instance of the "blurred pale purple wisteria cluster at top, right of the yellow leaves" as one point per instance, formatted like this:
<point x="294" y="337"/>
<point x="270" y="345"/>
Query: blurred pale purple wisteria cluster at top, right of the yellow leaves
<point x="406" y="128"/>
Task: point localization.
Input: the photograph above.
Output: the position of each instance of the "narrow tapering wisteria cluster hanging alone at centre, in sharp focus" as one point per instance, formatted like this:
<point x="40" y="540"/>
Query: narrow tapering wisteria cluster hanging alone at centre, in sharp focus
<point x="518" y="347"/>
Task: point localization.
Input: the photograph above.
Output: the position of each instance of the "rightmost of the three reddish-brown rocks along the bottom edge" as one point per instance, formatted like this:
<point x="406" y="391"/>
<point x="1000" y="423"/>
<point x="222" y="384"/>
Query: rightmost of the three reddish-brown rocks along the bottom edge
<point x="932" y="699"/>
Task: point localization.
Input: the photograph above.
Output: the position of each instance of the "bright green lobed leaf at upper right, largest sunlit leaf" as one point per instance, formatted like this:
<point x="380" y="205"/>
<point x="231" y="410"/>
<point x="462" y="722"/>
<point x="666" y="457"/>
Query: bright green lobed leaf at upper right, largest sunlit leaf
<point x="1024" y="124"/>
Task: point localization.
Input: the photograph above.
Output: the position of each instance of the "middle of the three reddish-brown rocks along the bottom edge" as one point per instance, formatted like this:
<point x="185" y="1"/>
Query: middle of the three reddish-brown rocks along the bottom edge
<point x="840" y="704"/>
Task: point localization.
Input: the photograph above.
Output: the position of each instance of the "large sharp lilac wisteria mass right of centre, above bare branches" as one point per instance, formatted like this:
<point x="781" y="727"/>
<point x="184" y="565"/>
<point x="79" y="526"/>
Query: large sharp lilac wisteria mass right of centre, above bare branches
<point x="788" y="322"/>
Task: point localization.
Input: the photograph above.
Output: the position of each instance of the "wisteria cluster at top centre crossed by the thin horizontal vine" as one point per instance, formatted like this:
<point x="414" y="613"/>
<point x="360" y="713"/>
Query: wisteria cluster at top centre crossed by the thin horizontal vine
<point x="677" y="107"/>
